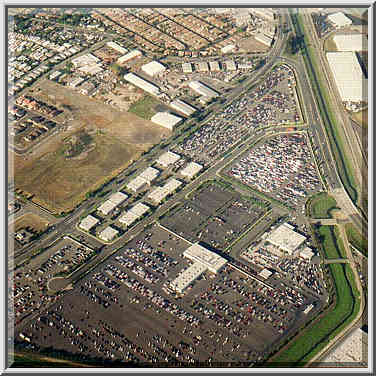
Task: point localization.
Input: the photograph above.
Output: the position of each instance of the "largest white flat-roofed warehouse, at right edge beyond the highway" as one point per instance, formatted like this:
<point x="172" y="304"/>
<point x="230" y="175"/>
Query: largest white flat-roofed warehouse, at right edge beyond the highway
<point x="348" y="76"/>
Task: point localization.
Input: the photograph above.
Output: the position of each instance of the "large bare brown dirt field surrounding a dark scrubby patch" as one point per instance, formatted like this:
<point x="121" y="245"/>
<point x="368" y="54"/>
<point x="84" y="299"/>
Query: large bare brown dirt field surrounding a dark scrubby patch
<point x="59" y="183"/>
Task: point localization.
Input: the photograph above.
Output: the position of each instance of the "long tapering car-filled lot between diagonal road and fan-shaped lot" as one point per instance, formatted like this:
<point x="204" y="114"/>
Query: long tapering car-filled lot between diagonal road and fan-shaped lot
<point x="271" y="103"/>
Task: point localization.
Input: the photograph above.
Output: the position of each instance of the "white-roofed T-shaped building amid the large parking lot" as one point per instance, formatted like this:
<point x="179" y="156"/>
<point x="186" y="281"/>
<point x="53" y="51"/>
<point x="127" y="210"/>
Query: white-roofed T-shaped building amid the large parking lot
<point x="203" y="260"/>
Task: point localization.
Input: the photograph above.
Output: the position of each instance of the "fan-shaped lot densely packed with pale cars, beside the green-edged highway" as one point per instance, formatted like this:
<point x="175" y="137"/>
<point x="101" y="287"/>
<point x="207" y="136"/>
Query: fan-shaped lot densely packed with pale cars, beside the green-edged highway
<point x="281" y="167"/>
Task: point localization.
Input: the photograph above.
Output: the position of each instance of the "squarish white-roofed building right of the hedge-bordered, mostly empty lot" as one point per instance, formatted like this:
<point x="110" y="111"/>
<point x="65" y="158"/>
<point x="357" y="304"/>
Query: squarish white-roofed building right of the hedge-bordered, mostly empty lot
<point x="286" y="239"/>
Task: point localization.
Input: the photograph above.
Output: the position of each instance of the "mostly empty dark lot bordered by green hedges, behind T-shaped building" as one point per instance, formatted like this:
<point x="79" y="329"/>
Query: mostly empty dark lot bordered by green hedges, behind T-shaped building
<point x="215" y="215"/>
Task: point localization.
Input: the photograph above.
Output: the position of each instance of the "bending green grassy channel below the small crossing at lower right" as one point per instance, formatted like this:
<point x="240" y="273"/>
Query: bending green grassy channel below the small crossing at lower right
<point x="318" y="335"/>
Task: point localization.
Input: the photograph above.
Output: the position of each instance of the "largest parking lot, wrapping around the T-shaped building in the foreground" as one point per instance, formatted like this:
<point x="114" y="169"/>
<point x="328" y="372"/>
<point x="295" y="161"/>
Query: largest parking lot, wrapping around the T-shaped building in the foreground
<point x="121" y="311"/>
